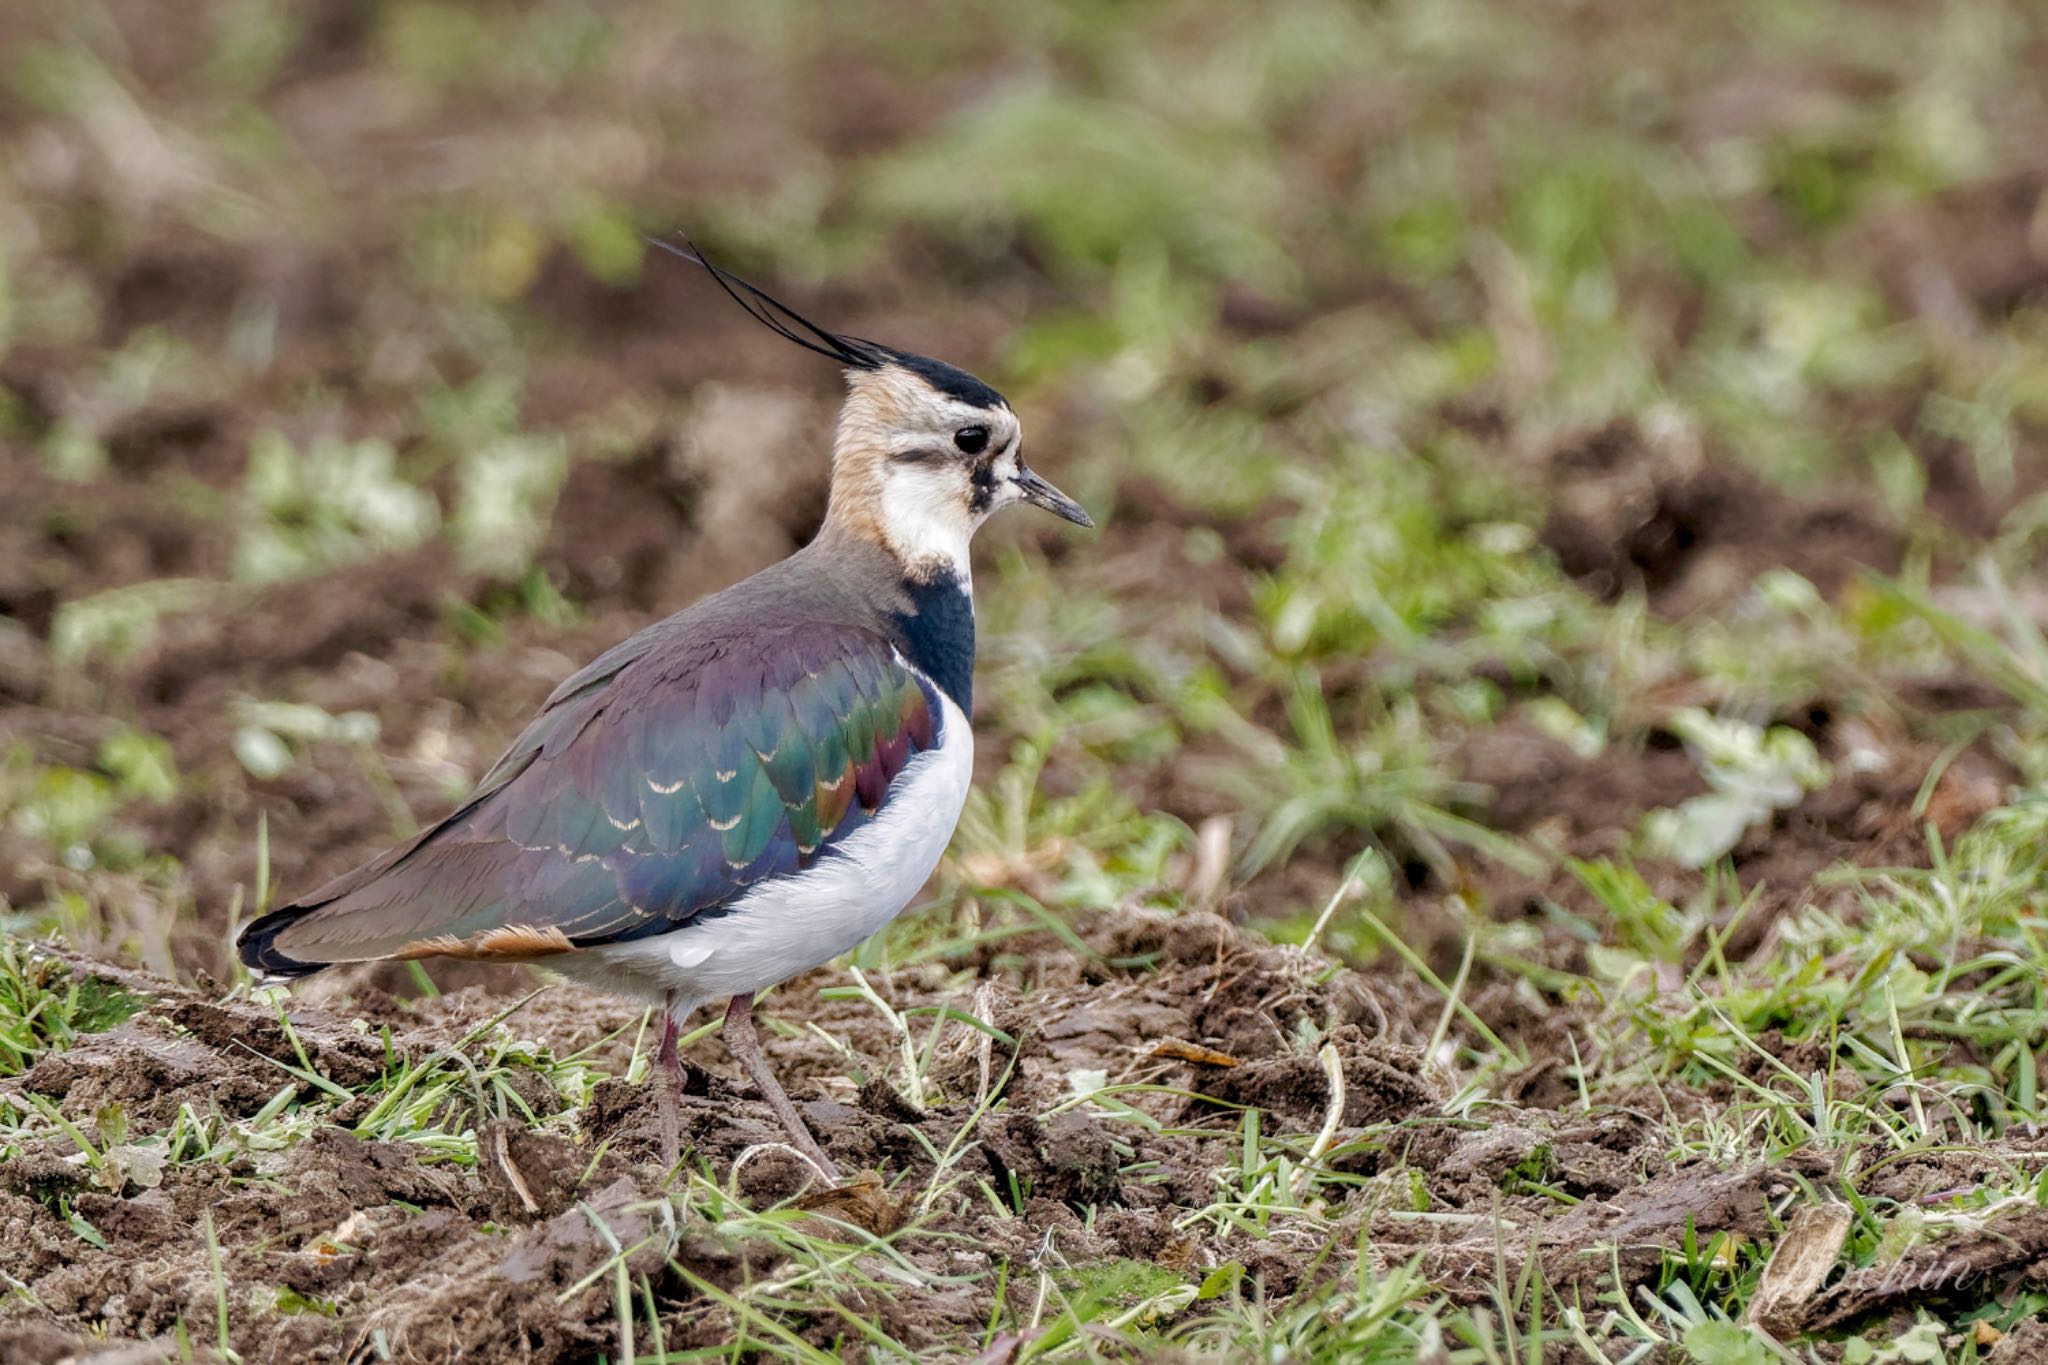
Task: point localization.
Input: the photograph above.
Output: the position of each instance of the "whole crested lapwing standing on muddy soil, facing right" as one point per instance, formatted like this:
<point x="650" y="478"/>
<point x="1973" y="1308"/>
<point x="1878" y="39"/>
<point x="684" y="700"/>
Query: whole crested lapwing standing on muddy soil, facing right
<point x="742" y="791"/>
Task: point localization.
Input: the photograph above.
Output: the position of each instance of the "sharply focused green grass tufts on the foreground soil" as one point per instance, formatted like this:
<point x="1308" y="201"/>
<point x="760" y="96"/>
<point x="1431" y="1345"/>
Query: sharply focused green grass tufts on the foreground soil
<point x="1881" y="1098"/>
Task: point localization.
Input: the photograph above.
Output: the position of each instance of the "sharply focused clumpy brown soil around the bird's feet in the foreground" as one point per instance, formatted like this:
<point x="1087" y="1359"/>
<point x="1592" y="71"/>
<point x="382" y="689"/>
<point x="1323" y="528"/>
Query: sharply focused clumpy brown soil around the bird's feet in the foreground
<point x="341" y="1243"/>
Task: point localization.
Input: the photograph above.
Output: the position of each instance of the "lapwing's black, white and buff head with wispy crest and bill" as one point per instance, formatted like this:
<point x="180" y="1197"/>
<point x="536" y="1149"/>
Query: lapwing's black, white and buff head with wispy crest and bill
<point x="925" y="453"/>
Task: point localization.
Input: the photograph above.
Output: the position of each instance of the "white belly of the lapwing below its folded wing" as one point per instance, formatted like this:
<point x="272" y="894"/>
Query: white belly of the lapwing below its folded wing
<point x="794" y="924"/>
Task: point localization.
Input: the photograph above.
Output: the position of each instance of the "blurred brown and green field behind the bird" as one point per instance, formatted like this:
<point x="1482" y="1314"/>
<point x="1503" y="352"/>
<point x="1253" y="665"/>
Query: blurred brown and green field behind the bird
<point x="1476" y="400"/>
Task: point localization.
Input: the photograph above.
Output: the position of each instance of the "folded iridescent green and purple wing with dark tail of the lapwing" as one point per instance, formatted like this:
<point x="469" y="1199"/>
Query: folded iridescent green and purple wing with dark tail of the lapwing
<point x="660" y="783"/>
